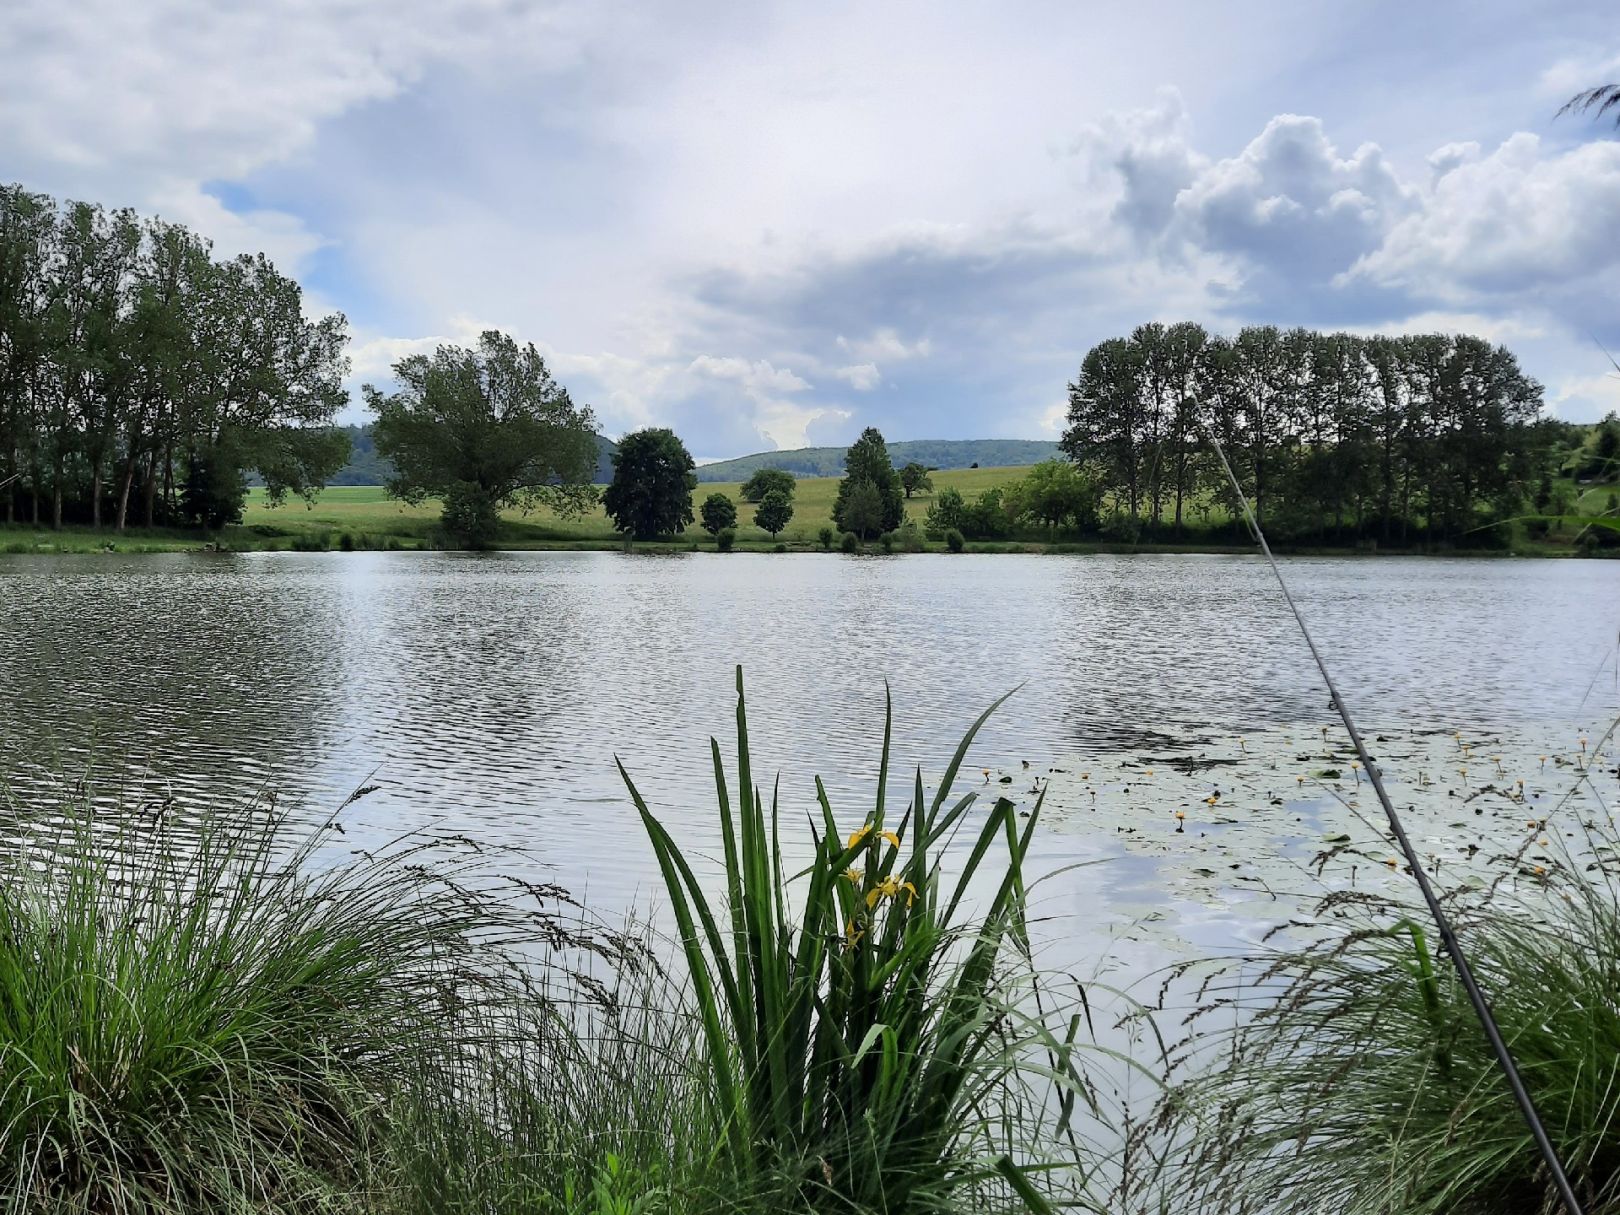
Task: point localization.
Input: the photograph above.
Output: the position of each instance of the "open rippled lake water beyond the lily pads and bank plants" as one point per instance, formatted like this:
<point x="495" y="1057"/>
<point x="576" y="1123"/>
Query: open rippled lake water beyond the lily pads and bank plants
<point x="492" y="693"/>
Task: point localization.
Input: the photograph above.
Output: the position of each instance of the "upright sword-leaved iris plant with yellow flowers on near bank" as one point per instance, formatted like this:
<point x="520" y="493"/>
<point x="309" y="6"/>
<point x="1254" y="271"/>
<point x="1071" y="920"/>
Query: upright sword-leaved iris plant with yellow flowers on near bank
<point x="855" y="1033"/>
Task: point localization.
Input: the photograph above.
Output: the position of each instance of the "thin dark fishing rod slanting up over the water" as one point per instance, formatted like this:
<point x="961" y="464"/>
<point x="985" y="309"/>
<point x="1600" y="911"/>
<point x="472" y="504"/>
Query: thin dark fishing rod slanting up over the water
<point x="1454" y="949"/>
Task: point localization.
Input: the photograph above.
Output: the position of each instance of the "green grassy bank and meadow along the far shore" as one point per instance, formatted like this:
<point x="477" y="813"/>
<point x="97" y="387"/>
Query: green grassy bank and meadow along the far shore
<point x="373" y="521"/>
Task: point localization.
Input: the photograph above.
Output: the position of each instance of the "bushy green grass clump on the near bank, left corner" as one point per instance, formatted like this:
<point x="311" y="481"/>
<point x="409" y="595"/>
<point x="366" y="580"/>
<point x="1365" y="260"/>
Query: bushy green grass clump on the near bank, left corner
<point x="228" y="1021"/>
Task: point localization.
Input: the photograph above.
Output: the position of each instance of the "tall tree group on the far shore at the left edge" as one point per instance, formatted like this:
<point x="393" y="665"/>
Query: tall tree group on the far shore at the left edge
<point x="140" y="377"/>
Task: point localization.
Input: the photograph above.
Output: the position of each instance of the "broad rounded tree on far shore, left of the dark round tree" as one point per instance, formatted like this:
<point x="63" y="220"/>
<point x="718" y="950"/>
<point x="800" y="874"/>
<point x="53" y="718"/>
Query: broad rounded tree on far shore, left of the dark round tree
<point x="485" y="430"/>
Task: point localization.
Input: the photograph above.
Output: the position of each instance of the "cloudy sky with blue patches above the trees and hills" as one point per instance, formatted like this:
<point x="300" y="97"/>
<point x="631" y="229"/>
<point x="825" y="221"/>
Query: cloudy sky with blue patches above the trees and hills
<point x="775" y="224"/>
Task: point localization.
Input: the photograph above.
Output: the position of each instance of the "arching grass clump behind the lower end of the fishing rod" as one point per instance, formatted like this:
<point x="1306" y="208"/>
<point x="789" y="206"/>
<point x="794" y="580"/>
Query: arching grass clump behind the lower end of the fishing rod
<point x="1365" y="1083"/>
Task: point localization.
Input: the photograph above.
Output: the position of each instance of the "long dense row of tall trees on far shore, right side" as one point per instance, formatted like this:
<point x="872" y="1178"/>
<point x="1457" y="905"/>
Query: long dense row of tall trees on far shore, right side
<point x="1332" y="437"/>
